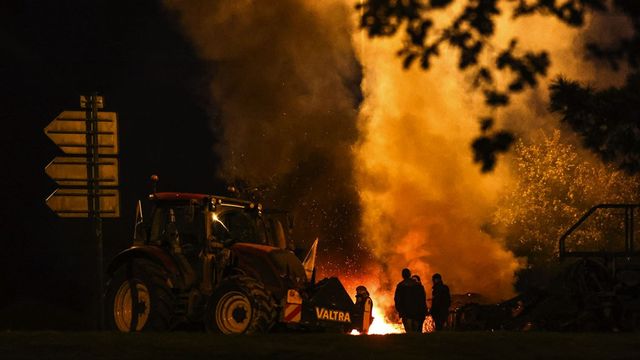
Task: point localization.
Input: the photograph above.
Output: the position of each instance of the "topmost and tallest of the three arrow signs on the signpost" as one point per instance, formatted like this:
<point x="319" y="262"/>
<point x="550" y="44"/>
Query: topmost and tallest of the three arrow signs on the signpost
<point x="69" y="131"/>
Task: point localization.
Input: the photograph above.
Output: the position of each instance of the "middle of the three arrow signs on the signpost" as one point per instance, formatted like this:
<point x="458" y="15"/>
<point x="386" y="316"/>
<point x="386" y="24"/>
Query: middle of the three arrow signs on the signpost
<point x="72" y="171"/>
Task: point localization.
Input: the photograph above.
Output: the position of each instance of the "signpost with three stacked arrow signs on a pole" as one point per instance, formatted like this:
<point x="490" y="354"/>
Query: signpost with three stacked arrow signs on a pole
<point x="88" y="174"/>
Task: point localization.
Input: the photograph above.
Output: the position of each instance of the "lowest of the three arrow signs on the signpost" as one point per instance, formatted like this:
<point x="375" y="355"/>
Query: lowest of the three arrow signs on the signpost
<point x="73" y="203"/>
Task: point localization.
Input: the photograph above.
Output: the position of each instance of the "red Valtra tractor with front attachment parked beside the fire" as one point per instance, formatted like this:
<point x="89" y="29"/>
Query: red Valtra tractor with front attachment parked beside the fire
<point x="225" y="263"/>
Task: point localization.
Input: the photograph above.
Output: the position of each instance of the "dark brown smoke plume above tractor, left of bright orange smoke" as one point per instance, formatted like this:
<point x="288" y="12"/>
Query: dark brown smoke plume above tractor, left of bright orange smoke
<point x="285" y="86"/>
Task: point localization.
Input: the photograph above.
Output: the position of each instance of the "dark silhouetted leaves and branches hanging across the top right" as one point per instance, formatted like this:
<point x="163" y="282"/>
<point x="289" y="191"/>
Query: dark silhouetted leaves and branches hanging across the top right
<point x="471" y="31"/>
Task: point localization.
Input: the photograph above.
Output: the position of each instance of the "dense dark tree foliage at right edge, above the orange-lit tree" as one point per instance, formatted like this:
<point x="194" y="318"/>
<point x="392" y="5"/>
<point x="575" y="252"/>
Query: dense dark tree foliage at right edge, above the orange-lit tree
<point x="608" y="121"/>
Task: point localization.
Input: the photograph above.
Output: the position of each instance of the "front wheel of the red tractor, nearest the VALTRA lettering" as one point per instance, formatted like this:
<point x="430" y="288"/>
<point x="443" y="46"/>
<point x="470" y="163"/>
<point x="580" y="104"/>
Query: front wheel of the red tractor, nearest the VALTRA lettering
<point x="240" y="305"/>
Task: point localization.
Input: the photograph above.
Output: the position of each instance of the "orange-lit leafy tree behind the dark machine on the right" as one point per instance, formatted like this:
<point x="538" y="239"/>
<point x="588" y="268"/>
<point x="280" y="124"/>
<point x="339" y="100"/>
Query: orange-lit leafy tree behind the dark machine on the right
<point x="553" y="188"/>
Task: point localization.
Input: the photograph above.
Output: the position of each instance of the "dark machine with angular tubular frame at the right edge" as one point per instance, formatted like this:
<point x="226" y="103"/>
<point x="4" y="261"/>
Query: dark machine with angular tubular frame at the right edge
<point x="602" y="253"/>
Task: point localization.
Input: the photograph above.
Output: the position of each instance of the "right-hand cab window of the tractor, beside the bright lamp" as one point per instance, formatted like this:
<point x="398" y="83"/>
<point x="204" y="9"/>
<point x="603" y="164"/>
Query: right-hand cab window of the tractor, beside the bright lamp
<point x="238" y="226"/>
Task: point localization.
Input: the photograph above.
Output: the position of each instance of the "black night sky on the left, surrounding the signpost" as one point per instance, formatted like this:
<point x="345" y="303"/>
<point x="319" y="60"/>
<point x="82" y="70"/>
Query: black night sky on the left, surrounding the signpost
<point x="133" y="54"/>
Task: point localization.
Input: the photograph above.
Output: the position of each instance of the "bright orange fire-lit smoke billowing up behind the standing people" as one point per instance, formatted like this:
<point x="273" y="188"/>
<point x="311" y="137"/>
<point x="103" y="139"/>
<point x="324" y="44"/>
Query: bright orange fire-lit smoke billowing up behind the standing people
<point x="425" y="205"/>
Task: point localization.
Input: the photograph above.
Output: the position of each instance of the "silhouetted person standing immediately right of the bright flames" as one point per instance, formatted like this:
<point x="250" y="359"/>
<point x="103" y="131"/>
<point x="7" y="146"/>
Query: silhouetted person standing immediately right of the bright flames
<point x="408" y="303"/>
